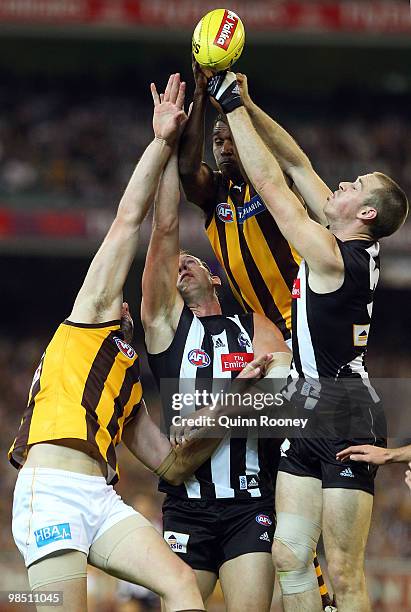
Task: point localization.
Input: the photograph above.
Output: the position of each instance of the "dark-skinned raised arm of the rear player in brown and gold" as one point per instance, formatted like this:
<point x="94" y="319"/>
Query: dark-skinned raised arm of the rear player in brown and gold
<point x="196" y="176"/>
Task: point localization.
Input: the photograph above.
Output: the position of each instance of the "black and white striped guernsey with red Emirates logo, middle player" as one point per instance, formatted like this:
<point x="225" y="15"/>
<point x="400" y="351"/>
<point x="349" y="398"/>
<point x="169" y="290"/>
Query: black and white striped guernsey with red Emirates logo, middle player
<point x="204" y="349"/>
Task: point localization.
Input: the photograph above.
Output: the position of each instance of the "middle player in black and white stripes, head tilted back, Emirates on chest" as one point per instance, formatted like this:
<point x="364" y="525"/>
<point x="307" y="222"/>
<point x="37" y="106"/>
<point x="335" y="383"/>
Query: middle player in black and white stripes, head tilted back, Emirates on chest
<point x="220" y="521"/>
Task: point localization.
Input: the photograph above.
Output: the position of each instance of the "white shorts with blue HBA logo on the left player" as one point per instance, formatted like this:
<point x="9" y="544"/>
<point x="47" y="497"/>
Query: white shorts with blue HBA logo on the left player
<point x="57" y="510"/>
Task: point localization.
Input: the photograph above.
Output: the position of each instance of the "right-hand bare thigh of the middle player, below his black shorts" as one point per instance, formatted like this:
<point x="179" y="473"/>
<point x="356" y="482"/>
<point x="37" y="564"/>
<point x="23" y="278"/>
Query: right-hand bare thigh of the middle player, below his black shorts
<point x="248" y="582"/>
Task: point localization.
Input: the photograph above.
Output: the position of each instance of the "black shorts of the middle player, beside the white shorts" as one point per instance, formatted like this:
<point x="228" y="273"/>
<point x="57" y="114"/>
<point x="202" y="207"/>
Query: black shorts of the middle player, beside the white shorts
<point x="206" y="534"/>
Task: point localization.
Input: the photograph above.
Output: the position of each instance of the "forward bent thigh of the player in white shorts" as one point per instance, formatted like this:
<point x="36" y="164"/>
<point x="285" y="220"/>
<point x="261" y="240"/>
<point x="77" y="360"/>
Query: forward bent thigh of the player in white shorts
<point x="138" y="554"/>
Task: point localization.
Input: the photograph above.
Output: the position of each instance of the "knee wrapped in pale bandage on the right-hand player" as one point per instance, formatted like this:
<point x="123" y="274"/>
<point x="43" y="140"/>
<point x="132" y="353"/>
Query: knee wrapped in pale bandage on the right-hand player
<point x="295" y="541"/>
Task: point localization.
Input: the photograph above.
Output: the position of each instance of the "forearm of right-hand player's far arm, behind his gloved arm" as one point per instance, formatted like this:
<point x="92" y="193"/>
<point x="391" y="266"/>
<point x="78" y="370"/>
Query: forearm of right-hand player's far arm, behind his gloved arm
<point x="278" y="140"/>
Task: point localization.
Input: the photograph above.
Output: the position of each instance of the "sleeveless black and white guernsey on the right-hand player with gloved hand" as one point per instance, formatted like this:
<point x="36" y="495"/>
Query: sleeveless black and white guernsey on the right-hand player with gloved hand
<point x="330" y="336"/>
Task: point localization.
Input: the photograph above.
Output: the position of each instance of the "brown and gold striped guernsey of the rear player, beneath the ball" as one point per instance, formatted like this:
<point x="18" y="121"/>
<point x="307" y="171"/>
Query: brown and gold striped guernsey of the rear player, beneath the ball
<point x="260" y="264"/>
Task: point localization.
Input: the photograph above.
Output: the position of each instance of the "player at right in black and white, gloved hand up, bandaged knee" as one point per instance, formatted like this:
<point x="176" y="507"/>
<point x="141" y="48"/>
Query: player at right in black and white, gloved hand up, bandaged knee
<point x="332" y="307"/>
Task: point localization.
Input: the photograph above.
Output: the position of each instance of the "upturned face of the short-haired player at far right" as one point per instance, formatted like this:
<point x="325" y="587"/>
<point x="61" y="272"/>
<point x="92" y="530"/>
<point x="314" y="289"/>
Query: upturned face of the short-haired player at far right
<point x="346" y="202"/>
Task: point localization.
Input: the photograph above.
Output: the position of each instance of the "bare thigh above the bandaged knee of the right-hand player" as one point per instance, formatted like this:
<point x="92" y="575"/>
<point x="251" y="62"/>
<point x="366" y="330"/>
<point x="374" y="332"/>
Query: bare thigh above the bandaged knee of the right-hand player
<point x="300" y="495"/>
